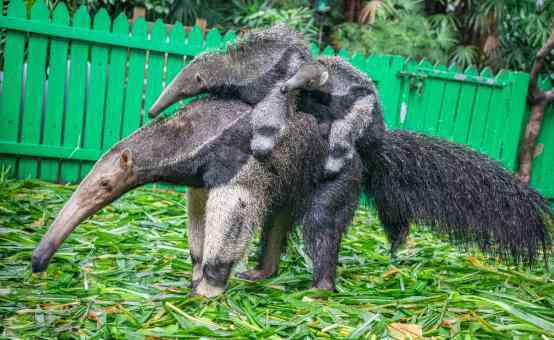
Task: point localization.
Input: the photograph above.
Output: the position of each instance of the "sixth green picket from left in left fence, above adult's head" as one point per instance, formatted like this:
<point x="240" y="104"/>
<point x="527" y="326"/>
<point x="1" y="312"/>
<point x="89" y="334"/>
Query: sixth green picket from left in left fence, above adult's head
<point x="116" y="81"/>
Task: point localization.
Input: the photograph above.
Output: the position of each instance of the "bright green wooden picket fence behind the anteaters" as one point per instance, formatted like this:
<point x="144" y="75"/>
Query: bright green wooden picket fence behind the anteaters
<point x="72" y="87"/>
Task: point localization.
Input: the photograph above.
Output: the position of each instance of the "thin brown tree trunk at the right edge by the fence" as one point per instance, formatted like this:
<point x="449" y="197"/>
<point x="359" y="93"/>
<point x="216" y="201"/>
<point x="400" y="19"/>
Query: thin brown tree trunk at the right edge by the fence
<point x="538" y="100"/>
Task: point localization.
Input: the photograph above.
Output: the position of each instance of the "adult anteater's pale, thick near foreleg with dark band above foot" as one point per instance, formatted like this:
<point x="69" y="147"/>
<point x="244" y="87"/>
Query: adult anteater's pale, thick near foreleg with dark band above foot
<point x="232" y="212"/>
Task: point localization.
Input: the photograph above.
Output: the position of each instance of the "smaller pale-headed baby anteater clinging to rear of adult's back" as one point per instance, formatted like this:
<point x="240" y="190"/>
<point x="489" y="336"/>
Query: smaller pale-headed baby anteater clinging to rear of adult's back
<point x="337" y="93"/>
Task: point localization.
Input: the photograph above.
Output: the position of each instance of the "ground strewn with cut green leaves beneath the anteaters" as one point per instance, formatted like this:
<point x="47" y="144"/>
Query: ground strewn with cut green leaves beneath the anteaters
<point x="125" y="274"/>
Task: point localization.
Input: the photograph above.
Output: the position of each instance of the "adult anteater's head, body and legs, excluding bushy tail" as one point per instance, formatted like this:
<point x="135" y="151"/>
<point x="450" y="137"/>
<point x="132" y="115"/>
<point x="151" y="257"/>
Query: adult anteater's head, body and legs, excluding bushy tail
<point x="206" y="147"/>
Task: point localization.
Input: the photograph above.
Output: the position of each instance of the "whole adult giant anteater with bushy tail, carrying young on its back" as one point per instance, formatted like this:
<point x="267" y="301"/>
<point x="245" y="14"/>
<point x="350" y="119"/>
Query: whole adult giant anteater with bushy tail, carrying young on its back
<point x="413" y="178"/>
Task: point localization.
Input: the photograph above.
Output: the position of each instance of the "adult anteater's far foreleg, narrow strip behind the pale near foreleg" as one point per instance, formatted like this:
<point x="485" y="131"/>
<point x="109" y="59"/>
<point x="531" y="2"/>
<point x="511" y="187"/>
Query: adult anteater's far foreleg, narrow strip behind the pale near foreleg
<point x="196" y="202"/>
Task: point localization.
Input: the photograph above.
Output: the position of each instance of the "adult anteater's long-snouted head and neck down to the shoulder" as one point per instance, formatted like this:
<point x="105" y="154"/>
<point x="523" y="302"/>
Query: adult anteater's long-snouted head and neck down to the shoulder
<point x="207" y="142"/>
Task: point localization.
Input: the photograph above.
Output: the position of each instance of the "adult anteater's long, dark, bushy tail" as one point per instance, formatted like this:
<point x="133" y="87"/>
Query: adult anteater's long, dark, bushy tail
<point x="457" y="192"/>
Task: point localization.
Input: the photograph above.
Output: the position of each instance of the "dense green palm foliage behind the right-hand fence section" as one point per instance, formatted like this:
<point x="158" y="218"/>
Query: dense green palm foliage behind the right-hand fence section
<point x="495" y="33"/>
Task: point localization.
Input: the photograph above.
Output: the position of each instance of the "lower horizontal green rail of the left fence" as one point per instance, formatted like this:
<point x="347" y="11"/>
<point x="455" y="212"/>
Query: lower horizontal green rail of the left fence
<point x="49" y="151"/>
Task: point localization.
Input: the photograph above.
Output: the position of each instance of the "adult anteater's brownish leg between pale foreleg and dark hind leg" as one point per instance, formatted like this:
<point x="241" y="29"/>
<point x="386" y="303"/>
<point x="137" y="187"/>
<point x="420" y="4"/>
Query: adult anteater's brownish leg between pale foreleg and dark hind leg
<point x="274" y="236"/>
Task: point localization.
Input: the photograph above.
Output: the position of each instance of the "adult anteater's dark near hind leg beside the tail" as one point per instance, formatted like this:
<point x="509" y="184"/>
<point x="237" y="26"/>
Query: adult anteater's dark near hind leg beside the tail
<point x="330" y="213"/>
